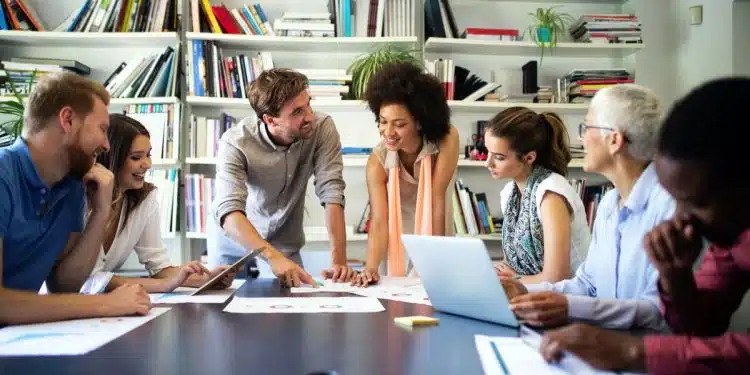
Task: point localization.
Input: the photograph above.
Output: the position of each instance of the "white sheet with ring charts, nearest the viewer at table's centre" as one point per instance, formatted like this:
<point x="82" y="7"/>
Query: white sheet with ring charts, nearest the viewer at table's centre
<point x="290" y="305"/>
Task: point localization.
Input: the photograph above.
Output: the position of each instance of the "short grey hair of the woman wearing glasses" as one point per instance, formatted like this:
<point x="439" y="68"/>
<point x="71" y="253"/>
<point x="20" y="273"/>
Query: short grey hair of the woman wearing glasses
<point x="634" y="110"/>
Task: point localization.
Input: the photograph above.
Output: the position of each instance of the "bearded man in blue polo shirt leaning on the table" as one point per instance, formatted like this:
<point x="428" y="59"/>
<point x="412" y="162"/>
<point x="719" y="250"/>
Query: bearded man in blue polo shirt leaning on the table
<point x="44" y="178"/>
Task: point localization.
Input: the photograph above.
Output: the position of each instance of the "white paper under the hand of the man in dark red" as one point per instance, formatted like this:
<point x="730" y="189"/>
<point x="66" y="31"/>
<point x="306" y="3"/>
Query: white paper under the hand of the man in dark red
<point x="515" y="355"/>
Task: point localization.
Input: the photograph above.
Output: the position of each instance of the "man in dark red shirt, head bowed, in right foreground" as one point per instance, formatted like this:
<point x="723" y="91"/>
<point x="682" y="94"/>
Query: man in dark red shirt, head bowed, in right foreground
<point x="702" y="163"/>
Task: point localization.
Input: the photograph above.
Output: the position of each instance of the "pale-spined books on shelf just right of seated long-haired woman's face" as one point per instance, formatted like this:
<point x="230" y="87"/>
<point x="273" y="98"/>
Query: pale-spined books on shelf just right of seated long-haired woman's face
<point x="167" y="185"/>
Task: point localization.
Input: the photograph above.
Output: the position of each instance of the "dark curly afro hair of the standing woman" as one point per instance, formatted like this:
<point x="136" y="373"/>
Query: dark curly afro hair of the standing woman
<point x="420" y="92"/>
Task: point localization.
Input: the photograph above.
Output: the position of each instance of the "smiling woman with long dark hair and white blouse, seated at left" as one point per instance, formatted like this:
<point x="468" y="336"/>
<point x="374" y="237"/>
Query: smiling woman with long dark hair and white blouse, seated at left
<point x="134" y="222"/>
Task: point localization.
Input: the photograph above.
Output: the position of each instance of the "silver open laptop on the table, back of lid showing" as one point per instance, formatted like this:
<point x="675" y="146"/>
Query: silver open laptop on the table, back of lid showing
<point x="459" y="277"/>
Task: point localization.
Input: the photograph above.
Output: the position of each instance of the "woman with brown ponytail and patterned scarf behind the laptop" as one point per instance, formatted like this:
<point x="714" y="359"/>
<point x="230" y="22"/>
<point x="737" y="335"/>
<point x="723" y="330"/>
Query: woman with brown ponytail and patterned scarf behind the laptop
<point x="545" y="235"/>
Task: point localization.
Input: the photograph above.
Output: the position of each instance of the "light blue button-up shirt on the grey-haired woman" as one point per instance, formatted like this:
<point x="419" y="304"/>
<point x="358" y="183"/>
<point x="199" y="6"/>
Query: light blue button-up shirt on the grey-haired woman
<point x="616" y="287"/>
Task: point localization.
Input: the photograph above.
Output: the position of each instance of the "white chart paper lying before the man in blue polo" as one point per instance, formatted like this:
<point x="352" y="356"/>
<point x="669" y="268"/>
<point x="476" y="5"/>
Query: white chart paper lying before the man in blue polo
<point x="73" y="337"/>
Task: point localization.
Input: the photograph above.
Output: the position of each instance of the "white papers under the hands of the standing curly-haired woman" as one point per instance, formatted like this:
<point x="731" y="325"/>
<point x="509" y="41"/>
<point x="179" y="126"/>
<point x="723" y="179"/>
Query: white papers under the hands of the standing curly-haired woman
<point x="404" y="289"/>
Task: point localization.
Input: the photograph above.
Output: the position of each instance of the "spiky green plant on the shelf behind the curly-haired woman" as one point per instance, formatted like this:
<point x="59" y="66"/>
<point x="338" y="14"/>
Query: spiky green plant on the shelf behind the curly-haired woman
<point x="365" y="66"/>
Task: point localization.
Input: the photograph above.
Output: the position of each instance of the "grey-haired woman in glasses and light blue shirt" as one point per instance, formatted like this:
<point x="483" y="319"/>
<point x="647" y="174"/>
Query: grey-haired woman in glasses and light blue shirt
<point x="616" y="285"/>
